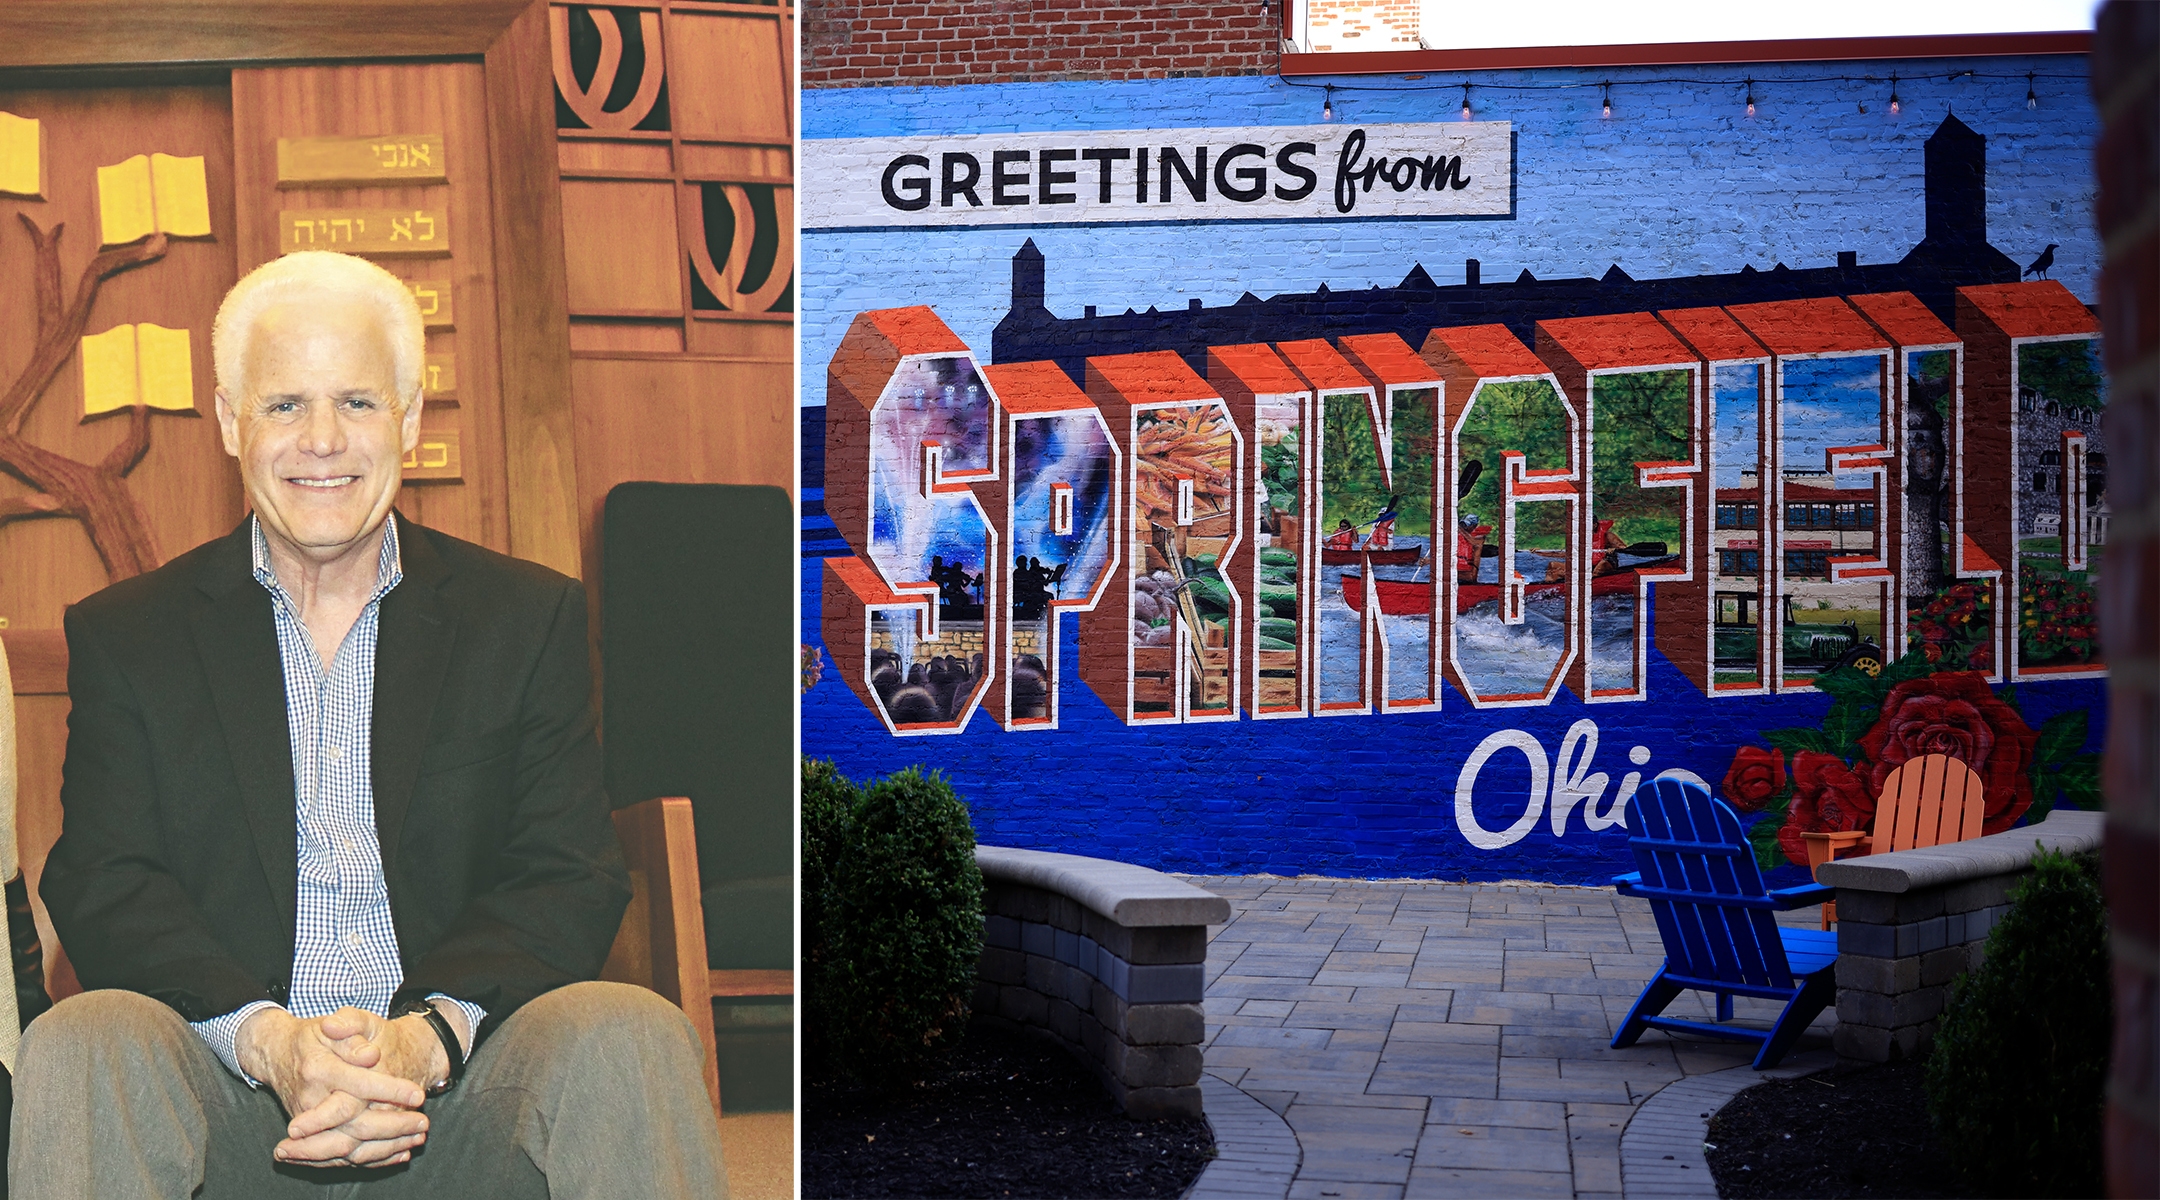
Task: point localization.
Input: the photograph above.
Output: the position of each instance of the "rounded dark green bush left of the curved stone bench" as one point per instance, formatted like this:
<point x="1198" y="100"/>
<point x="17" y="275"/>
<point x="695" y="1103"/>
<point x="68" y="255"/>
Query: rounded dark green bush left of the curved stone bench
<point x="904" y="929"/>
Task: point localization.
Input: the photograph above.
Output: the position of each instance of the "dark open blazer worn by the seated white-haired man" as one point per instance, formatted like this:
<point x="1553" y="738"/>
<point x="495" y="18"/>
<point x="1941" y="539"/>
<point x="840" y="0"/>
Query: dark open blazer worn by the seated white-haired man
<point x="176" y="873"/>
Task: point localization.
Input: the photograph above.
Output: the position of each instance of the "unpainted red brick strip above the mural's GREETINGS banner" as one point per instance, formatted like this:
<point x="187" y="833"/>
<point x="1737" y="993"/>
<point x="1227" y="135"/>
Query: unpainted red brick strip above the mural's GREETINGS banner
<point x="999" y="42"/>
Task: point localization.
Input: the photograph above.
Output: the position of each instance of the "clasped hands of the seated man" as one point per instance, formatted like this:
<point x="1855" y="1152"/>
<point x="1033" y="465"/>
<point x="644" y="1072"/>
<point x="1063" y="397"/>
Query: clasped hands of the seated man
<point x="353" y="1082"/>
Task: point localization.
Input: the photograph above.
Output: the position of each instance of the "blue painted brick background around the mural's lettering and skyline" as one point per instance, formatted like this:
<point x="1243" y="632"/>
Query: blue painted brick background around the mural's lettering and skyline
<point x="1679" y="182"/>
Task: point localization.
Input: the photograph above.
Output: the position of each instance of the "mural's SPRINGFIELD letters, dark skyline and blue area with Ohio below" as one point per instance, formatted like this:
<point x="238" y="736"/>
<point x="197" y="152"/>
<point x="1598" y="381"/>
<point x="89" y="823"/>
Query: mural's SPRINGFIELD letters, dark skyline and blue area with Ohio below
<point x="1770" y="530"/>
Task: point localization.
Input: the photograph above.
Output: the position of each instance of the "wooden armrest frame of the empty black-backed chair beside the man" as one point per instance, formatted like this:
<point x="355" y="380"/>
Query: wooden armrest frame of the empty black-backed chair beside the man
<point x="662" y="942"/>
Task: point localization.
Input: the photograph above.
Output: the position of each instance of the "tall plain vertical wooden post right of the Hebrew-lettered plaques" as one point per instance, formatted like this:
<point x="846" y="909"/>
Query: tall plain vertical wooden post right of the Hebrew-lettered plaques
<point x="532" y="299"/>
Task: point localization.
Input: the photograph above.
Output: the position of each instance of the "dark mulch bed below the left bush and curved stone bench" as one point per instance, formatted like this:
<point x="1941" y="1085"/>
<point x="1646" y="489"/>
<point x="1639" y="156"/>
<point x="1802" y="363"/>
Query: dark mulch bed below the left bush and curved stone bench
<point x="1003" y="1115"/>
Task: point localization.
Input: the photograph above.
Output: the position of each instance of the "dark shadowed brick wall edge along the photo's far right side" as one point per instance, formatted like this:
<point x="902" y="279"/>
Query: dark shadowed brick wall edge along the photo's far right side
<point x="2127" y="87"/>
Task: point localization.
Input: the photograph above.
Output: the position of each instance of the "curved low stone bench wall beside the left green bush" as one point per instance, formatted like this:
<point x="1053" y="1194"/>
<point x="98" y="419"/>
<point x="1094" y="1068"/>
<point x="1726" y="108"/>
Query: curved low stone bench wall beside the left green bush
<point x="1105" y="957"/>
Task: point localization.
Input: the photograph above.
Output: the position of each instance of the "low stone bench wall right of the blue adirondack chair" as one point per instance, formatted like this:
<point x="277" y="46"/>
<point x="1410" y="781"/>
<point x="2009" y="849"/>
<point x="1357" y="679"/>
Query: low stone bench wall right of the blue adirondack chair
<point x="1915" y="921"/>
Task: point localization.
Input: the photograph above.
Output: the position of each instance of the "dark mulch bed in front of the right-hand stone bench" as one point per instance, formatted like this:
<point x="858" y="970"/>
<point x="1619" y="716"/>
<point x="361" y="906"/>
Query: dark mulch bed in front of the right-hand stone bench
<point x="1857" y="1130"/>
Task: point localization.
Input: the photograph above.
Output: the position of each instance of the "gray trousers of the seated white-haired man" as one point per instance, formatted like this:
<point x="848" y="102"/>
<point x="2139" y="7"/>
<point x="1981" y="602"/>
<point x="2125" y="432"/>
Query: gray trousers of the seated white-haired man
<point x="593" y="1091"/>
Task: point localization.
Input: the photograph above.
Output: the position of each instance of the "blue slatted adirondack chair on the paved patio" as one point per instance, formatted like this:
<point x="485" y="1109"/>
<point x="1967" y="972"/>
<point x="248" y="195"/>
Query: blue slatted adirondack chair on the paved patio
<point x="1697" y="871"/>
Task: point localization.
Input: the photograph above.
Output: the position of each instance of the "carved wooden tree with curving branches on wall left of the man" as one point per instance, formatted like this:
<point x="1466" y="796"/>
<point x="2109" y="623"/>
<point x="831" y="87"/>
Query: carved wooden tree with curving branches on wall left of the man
<point x="96" y="495"/>
